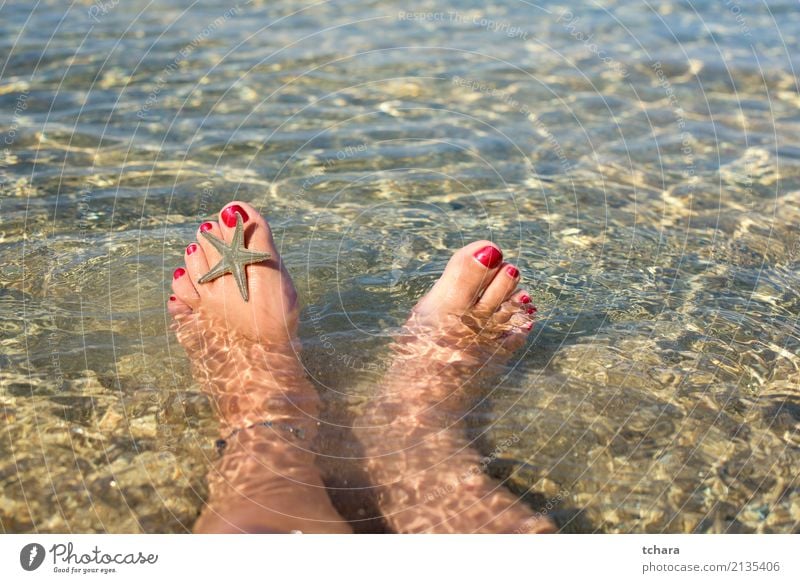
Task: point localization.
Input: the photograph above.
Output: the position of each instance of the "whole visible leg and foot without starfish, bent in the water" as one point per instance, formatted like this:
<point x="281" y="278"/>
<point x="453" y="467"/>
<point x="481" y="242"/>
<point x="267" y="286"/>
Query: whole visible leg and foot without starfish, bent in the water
<point x="428" y="477"/>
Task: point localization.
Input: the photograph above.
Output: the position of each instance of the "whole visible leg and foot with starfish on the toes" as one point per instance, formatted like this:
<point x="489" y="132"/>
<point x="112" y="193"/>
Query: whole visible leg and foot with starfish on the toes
<point x="244" y="354"/>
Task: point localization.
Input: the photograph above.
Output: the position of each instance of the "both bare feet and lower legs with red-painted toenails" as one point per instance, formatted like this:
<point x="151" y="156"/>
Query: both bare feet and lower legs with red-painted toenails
<point x="417" y="458"/>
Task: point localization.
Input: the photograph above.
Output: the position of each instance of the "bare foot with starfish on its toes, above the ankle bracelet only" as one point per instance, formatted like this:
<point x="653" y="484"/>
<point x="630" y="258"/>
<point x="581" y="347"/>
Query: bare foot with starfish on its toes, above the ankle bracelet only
<point x="228" y="339"/>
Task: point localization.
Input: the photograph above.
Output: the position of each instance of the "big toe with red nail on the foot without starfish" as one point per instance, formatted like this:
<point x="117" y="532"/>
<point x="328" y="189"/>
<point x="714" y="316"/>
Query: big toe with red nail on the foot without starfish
<point x="467" y="274"/>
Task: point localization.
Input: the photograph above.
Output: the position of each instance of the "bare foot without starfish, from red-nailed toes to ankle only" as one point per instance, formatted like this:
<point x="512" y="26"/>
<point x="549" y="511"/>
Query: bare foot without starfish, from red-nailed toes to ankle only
<point x="469" y="323"/>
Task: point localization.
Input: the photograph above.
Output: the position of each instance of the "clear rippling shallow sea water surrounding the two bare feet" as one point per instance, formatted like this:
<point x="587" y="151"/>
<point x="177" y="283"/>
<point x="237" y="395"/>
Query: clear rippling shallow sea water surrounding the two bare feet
<point x="645" y="178"/>
